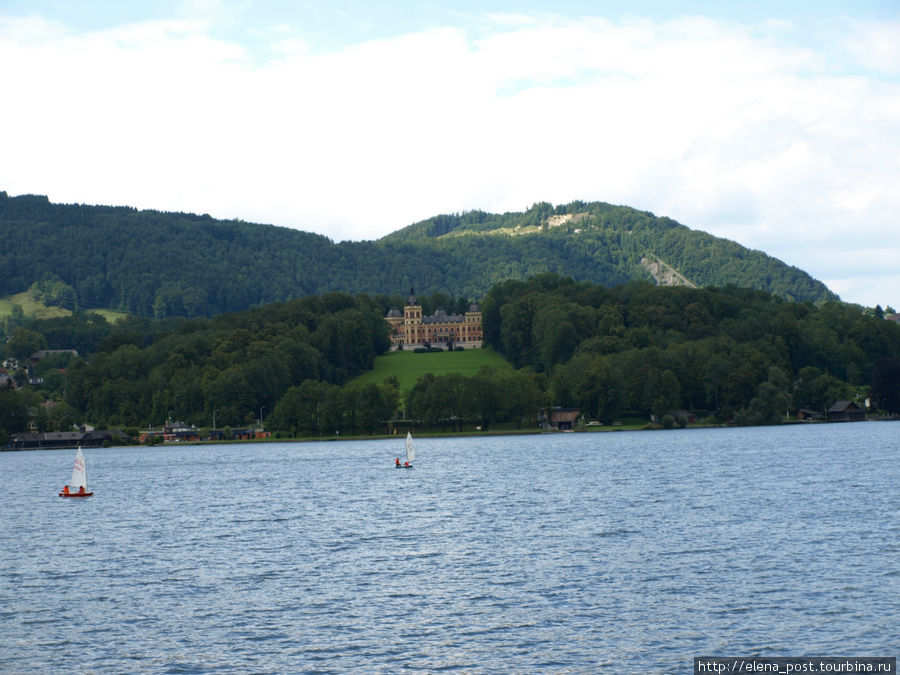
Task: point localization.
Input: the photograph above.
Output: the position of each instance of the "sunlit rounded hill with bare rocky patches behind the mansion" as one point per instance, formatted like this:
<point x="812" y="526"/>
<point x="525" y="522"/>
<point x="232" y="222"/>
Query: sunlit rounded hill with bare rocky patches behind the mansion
<point x="622" y="244"/>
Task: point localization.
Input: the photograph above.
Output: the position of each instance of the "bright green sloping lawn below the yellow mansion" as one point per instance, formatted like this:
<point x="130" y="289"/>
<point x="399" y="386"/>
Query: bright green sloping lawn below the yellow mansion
<point x="409" y="367"/>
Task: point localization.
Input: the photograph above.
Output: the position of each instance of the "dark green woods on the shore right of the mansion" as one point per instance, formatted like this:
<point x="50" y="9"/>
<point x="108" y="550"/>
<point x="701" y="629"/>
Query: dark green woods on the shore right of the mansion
<point x="738" y="355"/>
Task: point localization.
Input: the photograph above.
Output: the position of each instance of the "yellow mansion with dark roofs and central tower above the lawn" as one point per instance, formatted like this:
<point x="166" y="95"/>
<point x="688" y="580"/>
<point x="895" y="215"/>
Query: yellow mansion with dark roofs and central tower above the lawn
<point x="411" y="329"/>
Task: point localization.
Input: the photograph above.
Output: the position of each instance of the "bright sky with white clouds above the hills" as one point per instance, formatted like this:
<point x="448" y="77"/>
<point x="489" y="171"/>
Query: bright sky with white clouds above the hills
<point x="774" y="124"/>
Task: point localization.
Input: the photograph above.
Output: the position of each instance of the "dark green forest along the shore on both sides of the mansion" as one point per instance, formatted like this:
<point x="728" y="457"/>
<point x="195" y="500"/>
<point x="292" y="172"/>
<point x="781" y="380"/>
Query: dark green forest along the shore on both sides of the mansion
<point x="723" y="355"/>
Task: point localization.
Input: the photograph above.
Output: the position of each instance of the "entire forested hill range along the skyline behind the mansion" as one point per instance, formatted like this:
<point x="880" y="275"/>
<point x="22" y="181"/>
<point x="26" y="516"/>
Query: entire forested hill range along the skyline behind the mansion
<point x="163" y="264"/>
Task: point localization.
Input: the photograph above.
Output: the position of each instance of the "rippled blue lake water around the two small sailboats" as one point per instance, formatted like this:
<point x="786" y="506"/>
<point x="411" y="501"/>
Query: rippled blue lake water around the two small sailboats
<point x="617" y="552"/>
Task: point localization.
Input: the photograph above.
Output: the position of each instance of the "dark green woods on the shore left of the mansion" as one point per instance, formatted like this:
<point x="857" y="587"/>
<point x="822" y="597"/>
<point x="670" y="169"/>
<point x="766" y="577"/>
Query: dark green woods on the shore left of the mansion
<point x="234" y="366"/>
